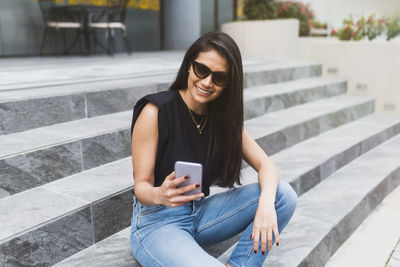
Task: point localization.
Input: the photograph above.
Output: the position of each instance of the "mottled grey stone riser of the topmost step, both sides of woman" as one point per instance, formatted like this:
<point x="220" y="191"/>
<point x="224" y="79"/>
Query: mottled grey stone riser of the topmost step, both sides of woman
<point x="84" y="103"/>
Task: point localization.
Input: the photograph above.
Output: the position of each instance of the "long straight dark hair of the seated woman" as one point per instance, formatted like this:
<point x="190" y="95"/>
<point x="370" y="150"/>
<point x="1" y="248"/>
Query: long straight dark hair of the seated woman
<point x="226" y="111"/>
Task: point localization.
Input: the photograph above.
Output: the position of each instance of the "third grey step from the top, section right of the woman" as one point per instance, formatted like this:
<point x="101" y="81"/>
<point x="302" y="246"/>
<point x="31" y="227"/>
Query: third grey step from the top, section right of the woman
<point x="282" y="129"/>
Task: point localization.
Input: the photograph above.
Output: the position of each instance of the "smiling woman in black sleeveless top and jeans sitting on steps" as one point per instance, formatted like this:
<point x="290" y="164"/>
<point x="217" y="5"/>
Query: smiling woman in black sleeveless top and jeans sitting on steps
<point x="200" y="119"/>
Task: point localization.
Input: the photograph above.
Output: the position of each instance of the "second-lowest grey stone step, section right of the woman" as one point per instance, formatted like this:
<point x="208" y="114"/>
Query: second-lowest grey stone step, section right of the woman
<point x="336" y="148"/>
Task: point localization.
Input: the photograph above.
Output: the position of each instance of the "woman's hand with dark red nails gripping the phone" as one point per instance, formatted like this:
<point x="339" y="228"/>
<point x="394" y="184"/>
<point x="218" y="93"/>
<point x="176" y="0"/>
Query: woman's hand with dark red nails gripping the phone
<point x="168" y="195"/>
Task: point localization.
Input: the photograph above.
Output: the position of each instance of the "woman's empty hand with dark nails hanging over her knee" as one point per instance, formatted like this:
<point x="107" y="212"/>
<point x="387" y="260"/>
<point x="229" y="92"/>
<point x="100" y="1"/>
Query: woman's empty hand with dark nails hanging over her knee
<point x="264" y="224"/>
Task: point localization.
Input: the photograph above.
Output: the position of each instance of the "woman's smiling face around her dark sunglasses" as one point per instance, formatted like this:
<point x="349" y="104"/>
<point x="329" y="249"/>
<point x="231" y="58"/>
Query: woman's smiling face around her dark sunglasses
<point x="201" y="91"/>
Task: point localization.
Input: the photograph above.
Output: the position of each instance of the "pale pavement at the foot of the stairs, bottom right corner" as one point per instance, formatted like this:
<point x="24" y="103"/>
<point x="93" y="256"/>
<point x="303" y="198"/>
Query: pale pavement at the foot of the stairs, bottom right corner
<point x="376" y="242"/>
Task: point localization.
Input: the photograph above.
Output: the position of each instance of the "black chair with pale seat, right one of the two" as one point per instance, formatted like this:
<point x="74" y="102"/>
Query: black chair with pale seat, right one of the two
<point x="111" y="19"/>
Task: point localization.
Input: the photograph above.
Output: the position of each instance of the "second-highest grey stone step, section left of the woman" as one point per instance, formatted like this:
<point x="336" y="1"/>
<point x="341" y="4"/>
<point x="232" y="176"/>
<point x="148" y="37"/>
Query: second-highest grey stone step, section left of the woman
<point x="35" y="157"/>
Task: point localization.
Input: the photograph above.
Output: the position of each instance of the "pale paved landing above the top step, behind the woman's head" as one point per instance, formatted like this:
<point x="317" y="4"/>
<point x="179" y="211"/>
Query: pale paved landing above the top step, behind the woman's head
<point x="38" y="72"/>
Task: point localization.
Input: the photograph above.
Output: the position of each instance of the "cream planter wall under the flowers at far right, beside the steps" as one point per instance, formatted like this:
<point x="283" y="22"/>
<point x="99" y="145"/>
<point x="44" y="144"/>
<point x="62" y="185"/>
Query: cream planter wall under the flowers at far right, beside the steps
<point x="372" y="68"/>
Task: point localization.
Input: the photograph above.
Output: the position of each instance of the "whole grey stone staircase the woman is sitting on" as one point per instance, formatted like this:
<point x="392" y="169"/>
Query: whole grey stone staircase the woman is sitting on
<point x="66" y="174"/>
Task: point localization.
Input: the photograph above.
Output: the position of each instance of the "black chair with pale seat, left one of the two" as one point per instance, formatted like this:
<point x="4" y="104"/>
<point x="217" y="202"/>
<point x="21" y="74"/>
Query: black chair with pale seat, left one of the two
<point x="60" y="20"/>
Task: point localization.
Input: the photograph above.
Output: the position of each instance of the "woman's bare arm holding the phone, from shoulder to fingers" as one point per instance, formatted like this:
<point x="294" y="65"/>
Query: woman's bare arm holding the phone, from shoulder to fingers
<point x="144" y="151"/>
